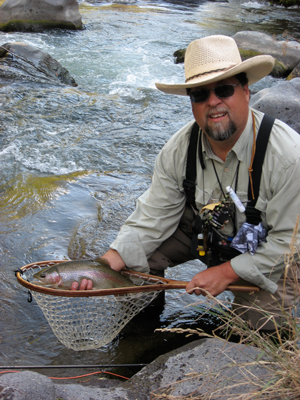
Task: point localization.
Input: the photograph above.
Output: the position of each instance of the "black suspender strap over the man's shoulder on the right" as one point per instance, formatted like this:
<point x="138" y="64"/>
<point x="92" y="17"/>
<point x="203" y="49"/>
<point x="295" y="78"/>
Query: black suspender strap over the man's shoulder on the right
<point x="252" y="214"/>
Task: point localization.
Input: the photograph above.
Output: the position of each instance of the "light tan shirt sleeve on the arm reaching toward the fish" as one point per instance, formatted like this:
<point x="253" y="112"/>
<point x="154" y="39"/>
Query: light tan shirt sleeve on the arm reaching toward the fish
<point x="159" y="209"/>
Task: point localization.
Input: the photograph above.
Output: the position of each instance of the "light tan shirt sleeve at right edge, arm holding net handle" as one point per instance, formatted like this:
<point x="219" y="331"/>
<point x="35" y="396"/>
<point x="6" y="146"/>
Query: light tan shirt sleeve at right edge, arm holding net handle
<point x="279" y="203"/>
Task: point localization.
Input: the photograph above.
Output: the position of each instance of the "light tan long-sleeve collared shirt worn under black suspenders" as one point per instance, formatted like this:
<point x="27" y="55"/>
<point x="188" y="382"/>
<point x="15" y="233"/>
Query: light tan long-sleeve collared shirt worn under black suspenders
<point x="160" y="208"/>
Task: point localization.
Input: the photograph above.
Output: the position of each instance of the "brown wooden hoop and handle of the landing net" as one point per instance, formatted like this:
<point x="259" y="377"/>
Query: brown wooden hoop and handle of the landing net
<point x="158" y="284"/>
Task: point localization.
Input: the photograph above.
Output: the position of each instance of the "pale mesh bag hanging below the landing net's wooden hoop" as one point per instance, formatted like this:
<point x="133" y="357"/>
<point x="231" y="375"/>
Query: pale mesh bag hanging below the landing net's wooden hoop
<point x="85" y="323"/>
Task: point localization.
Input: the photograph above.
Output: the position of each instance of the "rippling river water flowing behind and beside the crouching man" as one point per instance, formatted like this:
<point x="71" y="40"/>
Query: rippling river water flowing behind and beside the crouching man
<point x="73" y="160"/>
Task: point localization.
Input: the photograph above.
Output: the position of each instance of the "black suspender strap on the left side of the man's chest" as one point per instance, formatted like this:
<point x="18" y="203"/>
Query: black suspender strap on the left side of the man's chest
<point x="189" y="183"/>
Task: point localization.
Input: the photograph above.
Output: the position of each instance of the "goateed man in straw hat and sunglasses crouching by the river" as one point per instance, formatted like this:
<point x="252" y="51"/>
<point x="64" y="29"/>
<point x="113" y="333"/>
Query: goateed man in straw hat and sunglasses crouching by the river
<point x="159" y="232"/>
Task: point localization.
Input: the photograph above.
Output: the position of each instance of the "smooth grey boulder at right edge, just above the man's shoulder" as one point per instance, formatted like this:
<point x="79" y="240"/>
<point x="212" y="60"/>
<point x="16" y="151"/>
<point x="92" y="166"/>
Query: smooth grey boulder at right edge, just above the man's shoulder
<point x="282" y="101"/>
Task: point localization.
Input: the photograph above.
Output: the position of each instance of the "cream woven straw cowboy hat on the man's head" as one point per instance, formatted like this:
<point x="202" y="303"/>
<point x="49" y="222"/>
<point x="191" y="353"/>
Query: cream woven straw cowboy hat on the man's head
<point x="214" y="58"/>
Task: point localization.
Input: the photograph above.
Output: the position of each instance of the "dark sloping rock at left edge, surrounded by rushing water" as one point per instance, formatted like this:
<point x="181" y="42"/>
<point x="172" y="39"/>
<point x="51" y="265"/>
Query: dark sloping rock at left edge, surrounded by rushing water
<point x="21" y="61"/>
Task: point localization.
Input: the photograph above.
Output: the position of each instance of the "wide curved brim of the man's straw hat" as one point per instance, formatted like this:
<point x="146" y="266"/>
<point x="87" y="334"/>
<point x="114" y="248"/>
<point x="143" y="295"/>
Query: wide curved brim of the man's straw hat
<point x="256" y="68"/>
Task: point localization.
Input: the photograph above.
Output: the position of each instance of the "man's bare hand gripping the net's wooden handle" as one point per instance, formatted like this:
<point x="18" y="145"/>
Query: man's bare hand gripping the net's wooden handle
<point x="213" y="280"/>
